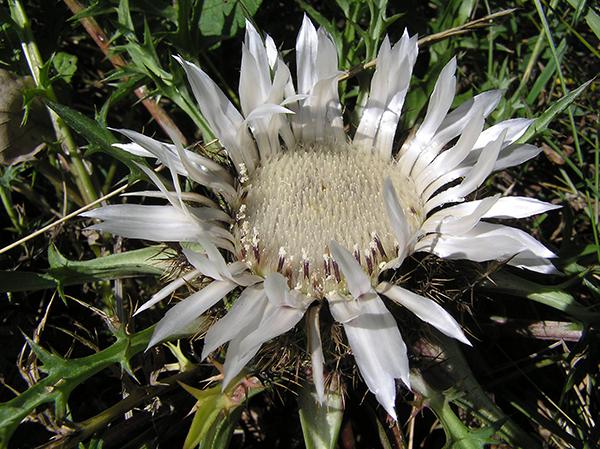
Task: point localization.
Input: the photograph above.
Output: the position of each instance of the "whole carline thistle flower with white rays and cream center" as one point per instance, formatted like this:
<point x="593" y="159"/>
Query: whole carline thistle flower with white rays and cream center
<point x="309" y="216"/>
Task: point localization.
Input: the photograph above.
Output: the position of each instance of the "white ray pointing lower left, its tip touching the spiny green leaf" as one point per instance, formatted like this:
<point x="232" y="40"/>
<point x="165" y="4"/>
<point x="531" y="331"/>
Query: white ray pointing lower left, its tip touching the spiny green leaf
<point x="187" y="311"/>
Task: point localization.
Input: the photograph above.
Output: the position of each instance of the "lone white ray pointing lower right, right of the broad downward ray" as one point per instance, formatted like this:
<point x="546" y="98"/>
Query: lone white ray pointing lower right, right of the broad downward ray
<point x="426" y="309"/>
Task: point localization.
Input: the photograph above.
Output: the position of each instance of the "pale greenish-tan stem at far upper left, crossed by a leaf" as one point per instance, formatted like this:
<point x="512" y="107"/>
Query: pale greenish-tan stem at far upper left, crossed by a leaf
<point x="63" y="134"/>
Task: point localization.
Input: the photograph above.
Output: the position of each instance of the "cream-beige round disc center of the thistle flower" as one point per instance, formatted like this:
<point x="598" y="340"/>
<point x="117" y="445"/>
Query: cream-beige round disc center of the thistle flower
<point x="301" y="199"/>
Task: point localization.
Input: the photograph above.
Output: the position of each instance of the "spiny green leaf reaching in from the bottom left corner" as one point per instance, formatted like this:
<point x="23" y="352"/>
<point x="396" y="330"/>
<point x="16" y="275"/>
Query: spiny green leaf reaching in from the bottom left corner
<point x="63" y="375"/>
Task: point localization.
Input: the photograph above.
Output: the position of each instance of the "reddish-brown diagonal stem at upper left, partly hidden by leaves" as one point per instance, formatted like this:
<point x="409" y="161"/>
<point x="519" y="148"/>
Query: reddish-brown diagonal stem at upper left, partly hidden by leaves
<point x="99" y="36"/>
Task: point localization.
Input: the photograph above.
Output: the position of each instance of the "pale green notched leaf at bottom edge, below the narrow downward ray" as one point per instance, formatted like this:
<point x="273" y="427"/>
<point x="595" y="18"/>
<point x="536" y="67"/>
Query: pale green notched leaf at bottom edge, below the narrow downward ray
<point x="320" y="423"/>
